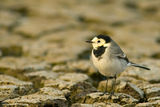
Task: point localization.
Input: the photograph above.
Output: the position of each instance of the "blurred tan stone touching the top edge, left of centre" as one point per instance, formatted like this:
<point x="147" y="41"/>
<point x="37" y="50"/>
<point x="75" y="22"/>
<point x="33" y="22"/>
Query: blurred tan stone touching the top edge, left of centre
<point x="47" y="9"/>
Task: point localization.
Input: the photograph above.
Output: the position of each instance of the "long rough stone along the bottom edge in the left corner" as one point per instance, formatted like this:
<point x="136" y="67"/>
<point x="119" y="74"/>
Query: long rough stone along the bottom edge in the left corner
<point x="46" y="97"/>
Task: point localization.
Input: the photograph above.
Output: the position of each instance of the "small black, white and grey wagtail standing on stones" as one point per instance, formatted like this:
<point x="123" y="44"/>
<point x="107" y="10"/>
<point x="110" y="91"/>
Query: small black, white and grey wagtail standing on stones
<point x="109" y="59"/>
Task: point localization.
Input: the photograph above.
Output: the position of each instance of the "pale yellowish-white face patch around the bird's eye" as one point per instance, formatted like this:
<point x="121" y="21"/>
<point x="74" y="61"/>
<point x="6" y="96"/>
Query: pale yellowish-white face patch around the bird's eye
<point x="99" y="42"/>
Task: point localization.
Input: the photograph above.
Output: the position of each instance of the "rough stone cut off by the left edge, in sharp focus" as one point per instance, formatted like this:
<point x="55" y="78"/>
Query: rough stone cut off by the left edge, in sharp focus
<point x="11" y="87"/>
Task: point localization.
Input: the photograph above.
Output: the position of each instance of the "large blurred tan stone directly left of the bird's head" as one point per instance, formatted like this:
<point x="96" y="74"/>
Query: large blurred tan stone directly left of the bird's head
<point x="68" y="46"/>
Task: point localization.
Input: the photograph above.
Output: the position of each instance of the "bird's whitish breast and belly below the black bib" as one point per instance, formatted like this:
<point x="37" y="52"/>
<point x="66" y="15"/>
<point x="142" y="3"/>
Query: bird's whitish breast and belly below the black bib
<point x="108" y="66"/>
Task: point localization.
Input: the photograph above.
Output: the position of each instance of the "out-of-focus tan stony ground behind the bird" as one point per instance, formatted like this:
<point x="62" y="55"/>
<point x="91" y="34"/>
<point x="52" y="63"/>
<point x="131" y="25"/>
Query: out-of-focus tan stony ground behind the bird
<point x="51" y="34"/>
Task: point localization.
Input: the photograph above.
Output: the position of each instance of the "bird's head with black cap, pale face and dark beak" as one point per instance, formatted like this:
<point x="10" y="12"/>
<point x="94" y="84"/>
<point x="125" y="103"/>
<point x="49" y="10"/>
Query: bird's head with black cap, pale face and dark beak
<point x="100" y="41"/>
